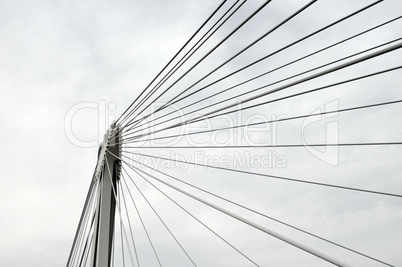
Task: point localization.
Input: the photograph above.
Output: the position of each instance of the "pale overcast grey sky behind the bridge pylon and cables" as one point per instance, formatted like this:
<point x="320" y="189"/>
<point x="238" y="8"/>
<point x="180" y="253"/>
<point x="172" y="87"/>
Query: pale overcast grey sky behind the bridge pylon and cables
<point x="67" y="68"/>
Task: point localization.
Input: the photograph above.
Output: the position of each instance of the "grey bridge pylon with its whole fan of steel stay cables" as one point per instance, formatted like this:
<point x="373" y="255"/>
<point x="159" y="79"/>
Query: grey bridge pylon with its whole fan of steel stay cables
<point x="278" y="153"/>
